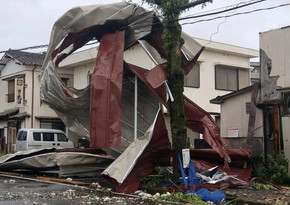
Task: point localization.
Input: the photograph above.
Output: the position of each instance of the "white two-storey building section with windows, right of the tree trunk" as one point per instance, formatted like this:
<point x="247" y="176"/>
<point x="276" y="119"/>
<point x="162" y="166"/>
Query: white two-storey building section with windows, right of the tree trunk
<point x="222" y="68"/>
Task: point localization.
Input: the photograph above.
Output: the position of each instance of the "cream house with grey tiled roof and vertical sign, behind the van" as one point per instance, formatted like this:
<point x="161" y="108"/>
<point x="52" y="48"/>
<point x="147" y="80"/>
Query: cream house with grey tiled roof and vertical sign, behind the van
<point x="20" y="104"/>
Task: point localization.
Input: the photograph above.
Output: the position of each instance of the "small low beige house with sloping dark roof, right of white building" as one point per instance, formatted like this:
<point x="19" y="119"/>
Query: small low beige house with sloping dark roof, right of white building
<point x="235" y="115"/>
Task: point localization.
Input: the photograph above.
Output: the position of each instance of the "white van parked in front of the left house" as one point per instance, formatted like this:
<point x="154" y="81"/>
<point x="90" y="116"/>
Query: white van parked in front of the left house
<point x="28" y="139"/>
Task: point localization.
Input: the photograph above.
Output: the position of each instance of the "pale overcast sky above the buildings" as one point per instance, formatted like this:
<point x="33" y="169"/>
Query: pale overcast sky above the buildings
<point x="25" y="23"/>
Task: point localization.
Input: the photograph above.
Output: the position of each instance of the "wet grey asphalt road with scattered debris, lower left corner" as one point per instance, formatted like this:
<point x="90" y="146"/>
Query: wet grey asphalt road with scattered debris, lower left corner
<point x="20" y="191"/>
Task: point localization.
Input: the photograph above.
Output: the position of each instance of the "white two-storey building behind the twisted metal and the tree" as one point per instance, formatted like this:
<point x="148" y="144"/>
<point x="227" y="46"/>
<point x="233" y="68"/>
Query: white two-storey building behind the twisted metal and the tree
<point x="221" y="69"/>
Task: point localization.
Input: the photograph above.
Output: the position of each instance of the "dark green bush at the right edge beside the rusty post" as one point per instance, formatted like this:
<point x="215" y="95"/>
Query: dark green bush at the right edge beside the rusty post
<point x="275" y="169"/>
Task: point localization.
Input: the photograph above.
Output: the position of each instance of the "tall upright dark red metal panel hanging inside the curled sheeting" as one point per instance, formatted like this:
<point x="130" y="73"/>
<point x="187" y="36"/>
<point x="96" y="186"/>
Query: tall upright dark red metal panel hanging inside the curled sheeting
<point x="106" y="88"/>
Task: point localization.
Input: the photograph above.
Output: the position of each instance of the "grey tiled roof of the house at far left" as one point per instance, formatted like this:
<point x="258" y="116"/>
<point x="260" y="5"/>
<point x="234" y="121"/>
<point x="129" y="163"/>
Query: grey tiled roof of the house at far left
<point x="25" y="58"/>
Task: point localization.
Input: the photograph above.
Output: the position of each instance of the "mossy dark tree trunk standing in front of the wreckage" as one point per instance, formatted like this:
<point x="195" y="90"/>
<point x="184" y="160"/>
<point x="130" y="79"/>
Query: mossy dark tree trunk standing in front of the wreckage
<point x="171" y="10"/>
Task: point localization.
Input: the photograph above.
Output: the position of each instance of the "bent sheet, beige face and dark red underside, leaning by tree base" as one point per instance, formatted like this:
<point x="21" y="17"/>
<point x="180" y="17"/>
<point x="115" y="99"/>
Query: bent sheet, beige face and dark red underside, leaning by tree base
<point x="156" y="150"/>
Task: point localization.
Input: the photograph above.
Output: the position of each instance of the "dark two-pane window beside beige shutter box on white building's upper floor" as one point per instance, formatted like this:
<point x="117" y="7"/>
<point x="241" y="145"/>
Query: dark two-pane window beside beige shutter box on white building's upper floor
<point x="226" y="78"/>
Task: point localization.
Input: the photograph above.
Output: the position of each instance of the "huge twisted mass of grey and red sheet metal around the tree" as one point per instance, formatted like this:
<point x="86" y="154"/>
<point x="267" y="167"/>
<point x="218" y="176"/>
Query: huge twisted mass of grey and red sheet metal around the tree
<point x="121" y="112"/>
